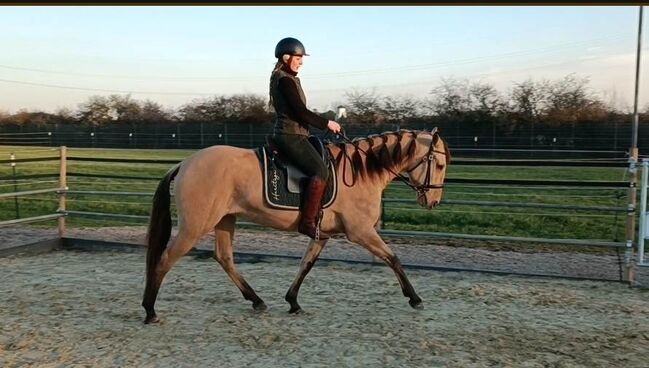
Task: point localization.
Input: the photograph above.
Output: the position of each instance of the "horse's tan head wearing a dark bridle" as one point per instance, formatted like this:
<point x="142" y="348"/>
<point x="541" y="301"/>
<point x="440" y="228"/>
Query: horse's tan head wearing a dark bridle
<point x="428" y="168"/>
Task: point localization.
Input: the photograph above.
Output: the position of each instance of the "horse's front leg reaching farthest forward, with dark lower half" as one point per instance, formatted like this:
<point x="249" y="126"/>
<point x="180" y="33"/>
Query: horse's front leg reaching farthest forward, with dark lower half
<point x="370" y="240"/>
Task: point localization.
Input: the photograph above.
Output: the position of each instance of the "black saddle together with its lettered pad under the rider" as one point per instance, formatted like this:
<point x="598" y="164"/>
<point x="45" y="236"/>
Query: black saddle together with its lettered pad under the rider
<point x="283" y="181"/>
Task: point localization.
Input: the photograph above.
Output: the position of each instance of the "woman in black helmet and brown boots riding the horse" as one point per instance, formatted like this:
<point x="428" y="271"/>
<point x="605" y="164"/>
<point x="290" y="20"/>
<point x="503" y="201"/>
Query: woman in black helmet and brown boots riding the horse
<point x="291" y="129"/>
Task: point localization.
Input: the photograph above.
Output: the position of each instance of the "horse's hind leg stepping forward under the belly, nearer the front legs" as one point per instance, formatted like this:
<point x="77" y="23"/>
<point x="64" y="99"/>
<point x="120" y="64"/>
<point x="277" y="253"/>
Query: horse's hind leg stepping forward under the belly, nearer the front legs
<point x="223" y="254"/>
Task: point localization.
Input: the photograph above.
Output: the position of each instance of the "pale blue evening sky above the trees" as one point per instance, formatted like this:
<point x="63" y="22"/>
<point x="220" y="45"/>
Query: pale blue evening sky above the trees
<point x="54" y="57"/>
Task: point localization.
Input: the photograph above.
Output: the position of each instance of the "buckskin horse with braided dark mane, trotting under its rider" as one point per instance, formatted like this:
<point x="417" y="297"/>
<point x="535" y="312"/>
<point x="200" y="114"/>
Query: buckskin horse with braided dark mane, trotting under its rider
<point x="218" y="184"/>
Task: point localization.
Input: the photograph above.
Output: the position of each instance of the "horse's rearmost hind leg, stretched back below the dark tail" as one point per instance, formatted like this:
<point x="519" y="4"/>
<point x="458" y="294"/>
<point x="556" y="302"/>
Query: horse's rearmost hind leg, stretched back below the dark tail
<point x="178" y="247"/>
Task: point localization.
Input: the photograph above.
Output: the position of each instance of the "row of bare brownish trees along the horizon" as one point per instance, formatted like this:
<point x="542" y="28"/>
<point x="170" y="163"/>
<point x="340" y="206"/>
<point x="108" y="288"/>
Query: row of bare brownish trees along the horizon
<point x="568" y="100"/>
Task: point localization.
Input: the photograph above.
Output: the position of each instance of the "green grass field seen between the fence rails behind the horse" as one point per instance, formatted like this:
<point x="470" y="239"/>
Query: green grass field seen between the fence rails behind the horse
<point x="525" y="222"/>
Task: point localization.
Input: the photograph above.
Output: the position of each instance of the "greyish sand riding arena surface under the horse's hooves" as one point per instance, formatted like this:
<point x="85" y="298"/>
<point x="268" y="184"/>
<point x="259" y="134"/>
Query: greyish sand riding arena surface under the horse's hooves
<point x="69" y="308"/>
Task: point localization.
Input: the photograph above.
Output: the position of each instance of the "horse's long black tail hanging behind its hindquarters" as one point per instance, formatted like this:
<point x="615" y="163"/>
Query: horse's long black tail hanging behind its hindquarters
<point x="159" y="230"/>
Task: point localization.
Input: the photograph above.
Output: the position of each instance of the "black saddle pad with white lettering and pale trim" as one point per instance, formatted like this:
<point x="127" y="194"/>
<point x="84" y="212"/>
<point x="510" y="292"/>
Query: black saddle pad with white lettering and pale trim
<point x="276" y="184"/>
